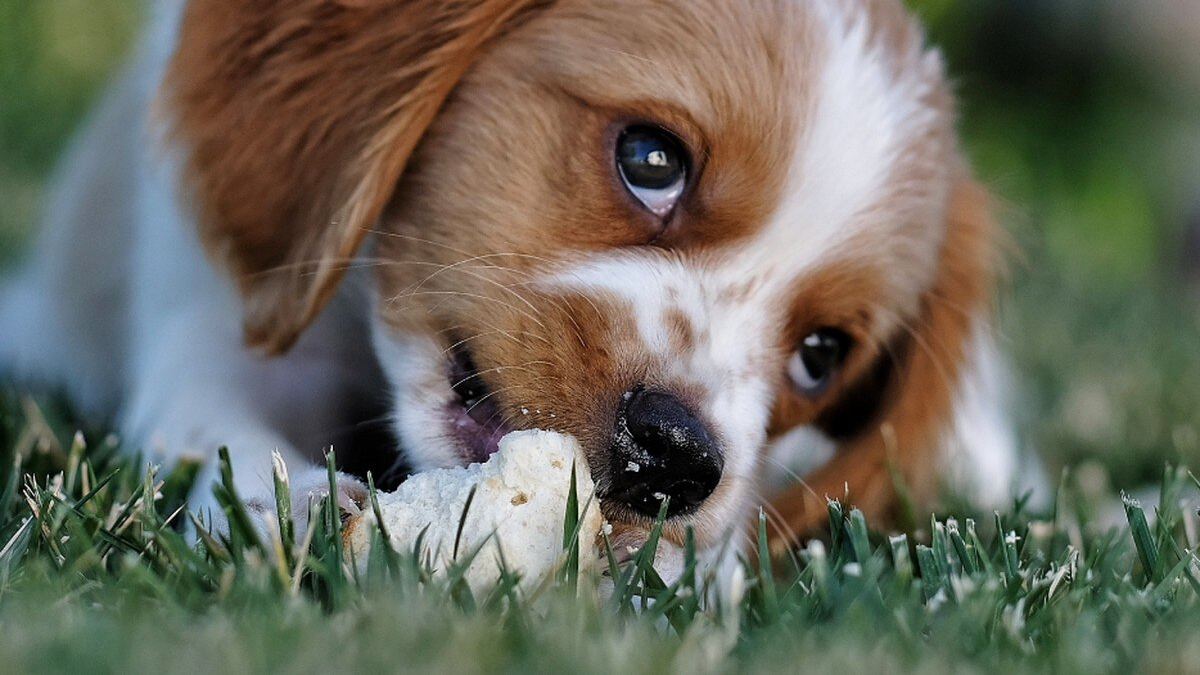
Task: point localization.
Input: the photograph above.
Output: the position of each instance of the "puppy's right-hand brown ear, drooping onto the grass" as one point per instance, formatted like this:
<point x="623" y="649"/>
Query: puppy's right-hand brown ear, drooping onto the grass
<point x="904" y="437"/>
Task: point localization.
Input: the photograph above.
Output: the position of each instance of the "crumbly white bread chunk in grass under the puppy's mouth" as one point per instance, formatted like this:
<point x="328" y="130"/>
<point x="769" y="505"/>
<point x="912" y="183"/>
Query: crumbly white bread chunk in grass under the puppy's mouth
<point x="521" y="499"/>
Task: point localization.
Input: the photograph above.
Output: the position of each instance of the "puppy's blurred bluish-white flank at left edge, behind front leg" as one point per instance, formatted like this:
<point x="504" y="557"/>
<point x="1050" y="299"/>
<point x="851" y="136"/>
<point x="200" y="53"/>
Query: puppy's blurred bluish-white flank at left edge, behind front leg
<point x="63" y="315"/>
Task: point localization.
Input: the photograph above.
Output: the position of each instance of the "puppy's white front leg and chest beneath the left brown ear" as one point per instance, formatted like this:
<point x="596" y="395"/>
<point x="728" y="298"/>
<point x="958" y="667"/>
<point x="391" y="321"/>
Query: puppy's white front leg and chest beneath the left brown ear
<point x="194" y="386"/>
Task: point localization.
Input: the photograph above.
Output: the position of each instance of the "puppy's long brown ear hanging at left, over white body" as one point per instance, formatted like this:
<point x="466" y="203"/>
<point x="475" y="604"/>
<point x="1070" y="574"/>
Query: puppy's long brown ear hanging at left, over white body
<point x="298" y="118"/>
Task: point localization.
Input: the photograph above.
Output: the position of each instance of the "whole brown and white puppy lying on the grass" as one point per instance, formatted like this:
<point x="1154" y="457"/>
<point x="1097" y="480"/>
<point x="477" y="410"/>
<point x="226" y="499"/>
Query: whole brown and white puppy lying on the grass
<point x="709" y="238"/>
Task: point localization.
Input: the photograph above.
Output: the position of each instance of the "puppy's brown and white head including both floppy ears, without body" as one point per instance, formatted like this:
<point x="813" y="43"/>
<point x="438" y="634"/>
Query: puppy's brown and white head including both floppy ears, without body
<point x="675" y="230"/>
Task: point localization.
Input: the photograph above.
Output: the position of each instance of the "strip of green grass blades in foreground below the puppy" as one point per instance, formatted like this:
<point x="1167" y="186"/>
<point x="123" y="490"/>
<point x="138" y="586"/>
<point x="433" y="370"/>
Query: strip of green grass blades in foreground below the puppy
<point x="94" y="577"/>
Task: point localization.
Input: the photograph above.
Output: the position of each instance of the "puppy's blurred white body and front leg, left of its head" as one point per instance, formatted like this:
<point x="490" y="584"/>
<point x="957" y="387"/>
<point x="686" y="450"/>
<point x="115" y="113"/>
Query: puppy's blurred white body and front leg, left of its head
<point x="121" y="304"/>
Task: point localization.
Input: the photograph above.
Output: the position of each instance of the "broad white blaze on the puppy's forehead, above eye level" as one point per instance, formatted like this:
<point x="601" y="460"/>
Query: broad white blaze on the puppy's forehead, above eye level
<point x="868" y="112"/>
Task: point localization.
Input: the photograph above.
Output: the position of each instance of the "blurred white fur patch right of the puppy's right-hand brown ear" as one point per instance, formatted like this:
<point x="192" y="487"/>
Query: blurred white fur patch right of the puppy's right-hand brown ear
<point x="983" y="456"/>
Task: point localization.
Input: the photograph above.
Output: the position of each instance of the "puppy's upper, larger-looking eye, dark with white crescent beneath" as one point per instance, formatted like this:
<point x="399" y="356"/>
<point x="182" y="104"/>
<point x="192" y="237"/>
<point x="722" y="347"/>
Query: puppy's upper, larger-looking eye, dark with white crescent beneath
<point x="653" y="166"/>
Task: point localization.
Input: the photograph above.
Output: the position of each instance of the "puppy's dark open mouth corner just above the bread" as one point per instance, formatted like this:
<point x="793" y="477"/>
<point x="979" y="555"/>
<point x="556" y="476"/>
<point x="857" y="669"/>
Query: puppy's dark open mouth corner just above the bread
<point x="475" y="415"/>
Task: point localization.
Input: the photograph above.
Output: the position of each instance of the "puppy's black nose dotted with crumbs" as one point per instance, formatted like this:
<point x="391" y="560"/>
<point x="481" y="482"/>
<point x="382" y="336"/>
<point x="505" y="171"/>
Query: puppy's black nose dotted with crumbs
<point x="662" y="451"/>
